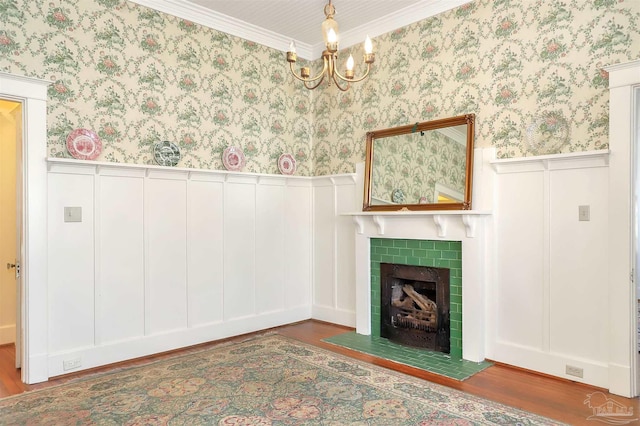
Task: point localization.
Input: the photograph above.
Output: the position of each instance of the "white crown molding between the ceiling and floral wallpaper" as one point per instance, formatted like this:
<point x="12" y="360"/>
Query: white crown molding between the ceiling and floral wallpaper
<point x="218" y="21"/>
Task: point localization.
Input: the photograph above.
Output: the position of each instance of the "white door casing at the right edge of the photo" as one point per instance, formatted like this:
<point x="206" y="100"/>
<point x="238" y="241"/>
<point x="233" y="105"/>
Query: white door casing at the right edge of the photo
<point x="622" y="295"/>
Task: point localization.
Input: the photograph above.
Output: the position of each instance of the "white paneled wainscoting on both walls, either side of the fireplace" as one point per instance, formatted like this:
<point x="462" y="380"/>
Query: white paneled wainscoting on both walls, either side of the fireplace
<point x="167" y="258"/>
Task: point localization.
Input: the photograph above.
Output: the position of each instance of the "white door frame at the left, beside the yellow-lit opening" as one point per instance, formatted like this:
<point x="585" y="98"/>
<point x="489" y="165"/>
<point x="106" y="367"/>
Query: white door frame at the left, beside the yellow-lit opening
<point x="32" y="92"/>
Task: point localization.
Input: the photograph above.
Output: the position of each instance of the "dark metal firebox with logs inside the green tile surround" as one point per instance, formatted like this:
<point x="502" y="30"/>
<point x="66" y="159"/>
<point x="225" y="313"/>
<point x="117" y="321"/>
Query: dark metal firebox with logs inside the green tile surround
<point x="414" y="305"/>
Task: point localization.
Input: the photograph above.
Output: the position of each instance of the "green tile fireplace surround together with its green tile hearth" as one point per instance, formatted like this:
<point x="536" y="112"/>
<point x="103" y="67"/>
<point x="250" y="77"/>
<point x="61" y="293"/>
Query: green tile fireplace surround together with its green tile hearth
<point x="430" y="253"/>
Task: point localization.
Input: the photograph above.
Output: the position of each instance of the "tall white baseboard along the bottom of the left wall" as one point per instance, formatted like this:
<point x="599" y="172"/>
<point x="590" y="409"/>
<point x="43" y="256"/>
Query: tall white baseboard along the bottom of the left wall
<point x="112" y="352"/>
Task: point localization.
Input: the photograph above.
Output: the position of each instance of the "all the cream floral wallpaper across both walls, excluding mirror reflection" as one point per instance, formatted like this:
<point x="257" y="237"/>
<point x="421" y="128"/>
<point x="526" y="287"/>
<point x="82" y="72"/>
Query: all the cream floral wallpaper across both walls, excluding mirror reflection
<point x="524" y="67"/>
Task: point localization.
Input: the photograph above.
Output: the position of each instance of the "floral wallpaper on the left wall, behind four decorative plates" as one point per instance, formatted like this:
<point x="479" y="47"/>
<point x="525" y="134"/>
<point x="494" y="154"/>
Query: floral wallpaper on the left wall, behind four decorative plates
<point x="137" y="77"/>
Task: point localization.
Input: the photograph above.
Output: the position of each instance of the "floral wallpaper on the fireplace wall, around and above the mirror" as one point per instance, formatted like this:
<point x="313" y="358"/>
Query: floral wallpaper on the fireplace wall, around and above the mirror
<point x="531" y="71"/>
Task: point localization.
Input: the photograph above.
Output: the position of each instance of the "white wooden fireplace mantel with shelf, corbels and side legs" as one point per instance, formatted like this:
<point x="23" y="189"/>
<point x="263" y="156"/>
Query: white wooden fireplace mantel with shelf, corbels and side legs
<point x="470" y="227"/>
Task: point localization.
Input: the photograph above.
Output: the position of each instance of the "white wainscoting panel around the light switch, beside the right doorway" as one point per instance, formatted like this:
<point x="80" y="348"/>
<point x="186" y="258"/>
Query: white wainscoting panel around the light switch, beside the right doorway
<point x="577" y="268"/>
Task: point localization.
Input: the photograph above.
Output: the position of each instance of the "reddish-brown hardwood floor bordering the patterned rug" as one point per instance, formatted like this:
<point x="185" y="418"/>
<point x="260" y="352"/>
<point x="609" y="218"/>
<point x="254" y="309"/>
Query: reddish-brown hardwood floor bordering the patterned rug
<point x="557" y="399"/>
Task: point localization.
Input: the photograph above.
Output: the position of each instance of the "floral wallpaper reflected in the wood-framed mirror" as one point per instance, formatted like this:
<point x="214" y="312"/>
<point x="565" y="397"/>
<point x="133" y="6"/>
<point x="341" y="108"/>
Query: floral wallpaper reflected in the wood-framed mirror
<point x="409" y="166"/>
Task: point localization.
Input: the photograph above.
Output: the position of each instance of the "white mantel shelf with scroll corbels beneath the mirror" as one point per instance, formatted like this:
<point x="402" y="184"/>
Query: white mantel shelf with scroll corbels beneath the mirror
<point x="441" y="219"/>
